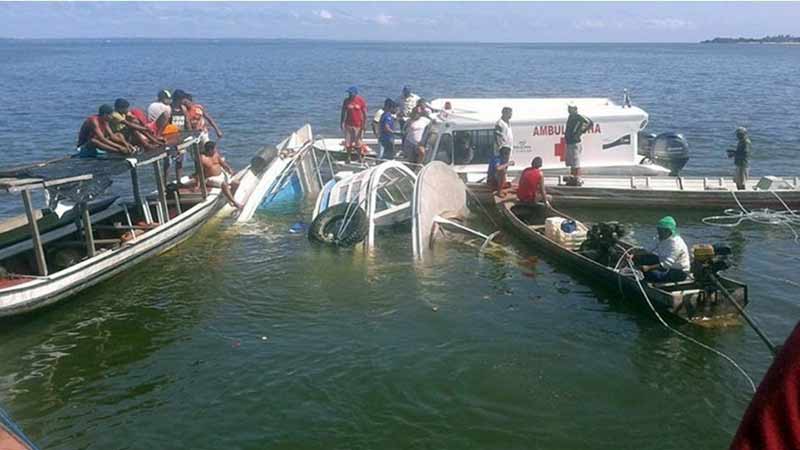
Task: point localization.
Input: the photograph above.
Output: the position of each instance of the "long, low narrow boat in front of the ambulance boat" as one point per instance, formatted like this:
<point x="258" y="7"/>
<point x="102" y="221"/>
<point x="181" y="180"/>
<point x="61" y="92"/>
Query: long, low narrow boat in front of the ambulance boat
<point x="666" y="192"/>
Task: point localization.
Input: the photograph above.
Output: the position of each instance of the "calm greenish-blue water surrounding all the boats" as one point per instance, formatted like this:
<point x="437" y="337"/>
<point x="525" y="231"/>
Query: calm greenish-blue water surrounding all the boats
<point x="252" y="338"/>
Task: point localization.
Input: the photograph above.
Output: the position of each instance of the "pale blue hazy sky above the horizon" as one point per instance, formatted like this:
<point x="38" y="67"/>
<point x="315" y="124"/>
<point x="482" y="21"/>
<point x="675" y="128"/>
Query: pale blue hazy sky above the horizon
<point x="402" y="21"/>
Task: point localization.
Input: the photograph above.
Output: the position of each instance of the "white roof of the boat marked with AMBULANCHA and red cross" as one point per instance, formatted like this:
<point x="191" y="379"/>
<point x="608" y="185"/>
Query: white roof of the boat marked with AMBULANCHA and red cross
<point x="487" y="110"/>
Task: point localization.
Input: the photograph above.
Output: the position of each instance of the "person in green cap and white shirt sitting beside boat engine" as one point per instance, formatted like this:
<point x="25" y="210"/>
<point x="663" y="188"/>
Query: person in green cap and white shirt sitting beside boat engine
<point x="673" y="255"/>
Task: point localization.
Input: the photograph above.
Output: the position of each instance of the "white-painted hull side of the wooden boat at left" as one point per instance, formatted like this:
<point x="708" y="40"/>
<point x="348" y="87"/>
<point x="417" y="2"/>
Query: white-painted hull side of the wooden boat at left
<point x="43" y="291"/>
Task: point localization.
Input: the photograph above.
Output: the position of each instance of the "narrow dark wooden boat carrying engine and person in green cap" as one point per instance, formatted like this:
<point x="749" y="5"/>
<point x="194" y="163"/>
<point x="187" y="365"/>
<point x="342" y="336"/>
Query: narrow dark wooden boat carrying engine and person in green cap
<point x="689" y="300"/>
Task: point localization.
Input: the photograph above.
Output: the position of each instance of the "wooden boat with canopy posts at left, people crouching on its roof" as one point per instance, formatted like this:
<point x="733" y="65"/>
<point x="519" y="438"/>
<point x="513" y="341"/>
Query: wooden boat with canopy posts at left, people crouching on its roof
<point x="53" y="265"/>
